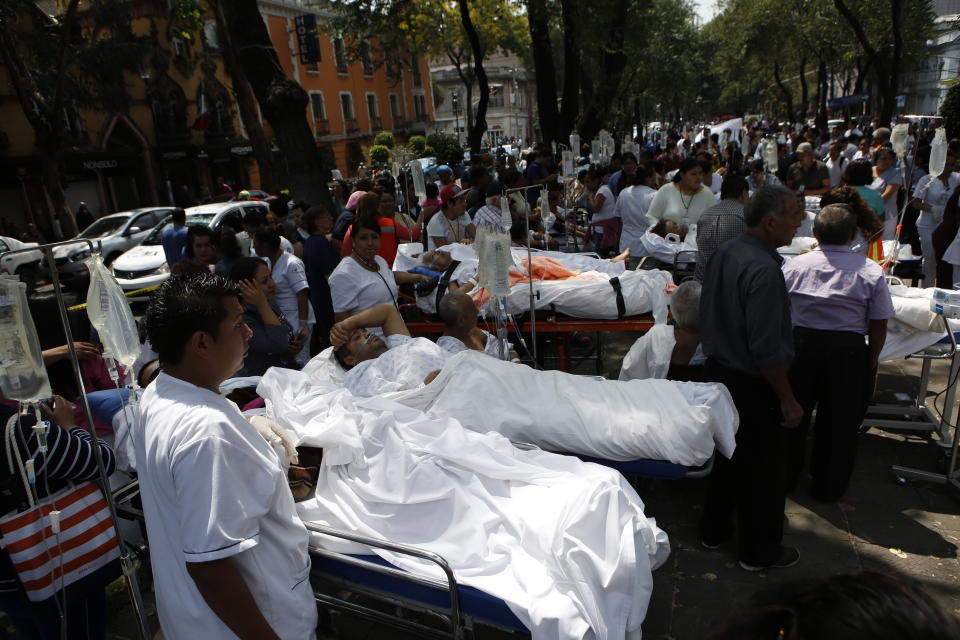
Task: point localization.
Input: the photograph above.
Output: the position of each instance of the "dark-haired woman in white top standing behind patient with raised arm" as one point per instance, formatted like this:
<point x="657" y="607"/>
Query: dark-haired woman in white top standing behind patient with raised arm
<point x="363" y="279"/>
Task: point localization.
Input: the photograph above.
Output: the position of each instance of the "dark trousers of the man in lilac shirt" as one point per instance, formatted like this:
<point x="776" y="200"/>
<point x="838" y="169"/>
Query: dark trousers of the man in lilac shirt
<point x="830" y="373"/>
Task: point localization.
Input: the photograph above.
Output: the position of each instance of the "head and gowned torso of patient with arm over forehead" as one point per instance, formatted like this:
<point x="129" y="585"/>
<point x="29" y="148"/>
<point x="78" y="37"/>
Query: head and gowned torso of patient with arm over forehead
<point x="398" y="362"/>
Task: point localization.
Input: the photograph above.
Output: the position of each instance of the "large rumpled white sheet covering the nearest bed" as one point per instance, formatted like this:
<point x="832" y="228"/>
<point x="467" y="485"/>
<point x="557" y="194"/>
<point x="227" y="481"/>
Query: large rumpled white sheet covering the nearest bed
<point x="564" y="543"/>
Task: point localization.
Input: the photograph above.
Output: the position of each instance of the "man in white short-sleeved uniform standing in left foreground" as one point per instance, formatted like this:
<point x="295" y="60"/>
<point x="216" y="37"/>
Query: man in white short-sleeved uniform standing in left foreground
<point x="228" y="551"/>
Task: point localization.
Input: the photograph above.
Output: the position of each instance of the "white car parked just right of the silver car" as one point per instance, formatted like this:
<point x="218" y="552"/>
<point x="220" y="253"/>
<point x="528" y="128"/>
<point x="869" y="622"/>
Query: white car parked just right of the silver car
<point x="146" y="265"/>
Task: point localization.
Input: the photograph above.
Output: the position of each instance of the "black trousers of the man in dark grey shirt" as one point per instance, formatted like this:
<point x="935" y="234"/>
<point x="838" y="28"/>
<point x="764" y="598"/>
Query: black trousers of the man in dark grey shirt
<point x="750" y="484"/>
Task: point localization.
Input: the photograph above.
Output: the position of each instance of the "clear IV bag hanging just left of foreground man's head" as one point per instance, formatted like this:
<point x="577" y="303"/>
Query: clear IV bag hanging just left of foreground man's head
<point x="110" y="314"/>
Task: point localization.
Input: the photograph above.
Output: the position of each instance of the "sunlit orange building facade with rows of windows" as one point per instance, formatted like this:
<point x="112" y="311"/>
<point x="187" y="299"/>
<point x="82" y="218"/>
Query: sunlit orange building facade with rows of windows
<point x="350" y="100"/>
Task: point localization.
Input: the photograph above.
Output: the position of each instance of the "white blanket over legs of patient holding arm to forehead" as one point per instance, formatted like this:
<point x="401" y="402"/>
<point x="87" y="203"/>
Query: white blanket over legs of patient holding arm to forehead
<point x="608" y="419"/>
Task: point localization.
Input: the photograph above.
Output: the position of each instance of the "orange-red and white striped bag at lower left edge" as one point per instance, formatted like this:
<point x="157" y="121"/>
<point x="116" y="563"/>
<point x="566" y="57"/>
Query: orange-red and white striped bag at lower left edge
<point x="46" y="561"/>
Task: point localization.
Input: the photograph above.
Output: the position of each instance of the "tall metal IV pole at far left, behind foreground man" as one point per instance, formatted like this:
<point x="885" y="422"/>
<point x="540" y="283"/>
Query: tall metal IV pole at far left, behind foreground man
<point x="126" y="562"/>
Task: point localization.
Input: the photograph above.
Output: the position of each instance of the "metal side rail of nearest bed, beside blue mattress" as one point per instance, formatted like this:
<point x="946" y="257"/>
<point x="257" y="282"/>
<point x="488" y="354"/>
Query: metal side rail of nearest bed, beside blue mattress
<point x="456" y="619"/>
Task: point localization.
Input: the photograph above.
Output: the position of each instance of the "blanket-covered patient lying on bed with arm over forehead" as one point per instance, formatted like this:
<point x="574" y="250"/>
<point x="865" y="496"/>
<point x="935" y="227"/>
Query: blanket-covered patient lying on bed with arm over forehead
<point x="663" y="420"/>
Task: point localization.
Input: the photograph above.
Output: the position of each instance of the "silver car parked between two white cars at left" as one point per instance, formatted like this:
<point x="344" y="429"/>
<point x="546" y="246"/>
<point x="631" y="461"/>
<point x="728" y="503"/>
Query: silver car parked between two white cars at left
<point x="116" y="233"/>
